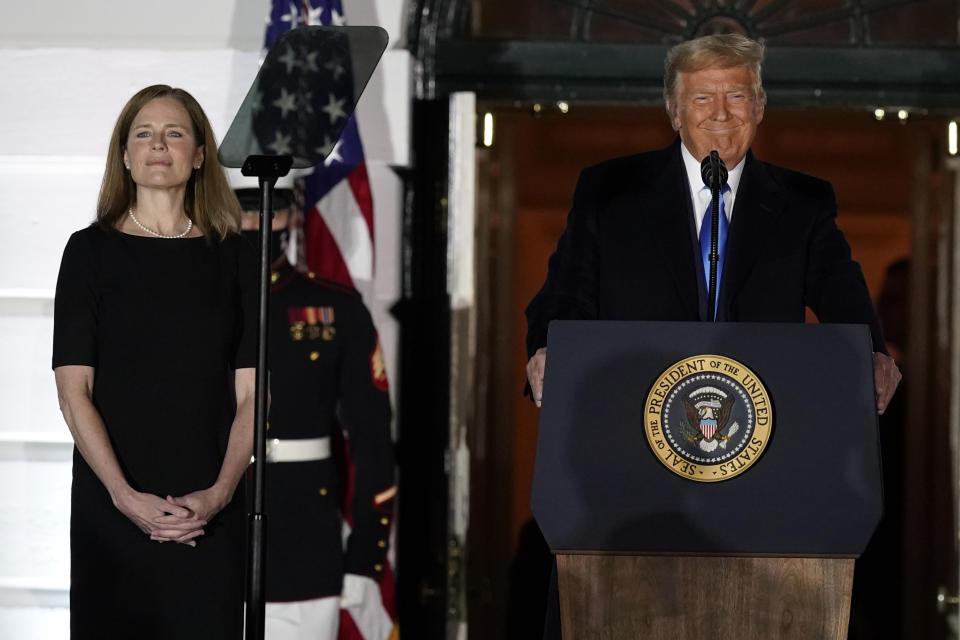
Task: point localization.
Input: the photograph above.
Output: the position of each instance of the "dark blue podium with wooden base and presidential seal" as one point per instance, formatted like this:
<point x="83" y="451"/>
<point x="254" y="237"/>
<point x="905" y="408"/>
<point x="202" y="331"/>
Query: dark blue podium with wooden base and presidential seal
<point x="675" y="508"/>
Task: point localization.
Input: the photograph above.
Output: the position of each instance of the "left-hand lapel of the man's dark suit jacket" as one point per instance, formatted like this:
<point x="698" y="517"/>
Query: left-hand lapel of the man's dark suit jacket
<point x="668" y="201"/>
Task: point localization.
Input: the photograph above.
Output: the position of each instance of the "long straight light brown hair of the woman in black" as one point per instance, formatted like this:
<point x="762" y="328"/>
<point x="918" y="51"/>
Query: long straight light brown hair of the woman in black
<point x="209" y="201"/>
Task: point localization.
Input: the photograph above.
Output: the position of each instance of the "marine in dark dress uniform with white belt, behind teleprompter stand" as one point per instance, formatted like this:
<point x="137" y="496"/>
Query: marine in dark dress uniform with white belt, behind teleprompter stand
<point x="326" y="373"/>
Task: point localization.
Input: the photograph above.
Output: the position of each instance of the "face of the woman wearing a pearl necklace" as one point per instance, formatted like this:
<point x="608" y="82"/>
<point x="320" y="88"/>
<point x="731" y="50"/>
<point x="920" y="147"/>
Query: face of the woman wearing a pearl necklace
<point x="161" y="151"/>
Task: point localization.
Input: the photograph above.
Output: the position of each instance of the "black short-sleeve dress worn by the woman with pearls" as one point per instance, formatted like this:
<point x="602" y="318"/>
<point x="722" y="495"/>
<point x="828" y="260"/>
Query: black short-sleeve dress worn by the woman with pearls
<point x="164" y="322"/>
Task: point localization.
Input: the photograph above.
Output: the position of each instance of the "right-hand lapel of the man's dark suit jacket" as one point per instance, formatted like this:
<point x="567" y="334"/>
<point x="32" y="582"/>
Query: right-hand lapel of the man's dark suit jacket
<point x="755" y="212"/>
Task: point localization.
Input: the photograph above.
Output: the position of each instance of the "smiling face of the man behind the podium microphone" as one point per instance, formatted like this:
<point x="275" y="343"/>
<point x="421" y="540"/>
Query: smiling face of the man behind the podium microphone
<point x="717" y="109"/>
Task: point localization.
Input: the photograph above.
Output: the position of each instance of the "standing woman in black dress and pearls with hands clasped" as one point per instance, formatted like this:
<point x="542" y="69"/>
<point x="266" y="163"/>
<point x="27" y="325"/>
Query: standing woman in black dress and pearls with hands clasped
<point x="154" y="348"/>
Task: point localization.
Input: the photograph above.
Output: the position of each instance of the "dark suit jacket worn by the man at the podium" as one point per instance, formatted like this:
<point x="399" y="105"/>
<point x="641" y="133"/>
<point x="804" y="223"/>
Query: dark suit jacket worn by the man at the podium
<point x="630" y="251"/>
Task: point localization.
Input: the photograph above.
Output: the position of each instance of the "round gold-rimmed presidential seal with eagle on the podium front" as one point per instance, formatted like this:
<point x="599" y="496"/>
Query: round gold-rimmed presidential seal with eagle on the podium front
<point x="708" y="418"/>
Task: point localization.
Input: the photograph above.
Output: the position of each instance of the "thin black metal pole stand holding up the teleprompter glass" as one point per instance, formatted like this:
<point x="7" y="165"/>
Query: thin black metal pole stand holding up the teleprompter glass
<point x="267" y="169"/>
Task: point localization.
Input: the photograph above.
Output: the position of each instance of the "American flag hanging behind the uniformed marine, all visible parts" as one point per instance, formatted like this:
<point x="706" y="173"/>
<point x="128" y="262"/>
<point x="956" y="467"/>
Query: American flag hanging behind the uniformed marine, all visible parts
<point x="338" y="245"/>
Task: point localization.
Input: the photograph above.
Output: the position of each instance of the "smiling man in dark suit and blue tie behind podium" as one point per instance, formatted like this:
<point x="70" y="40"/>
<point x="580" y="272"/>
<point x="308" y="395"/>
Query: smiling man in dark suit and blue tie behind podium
<point x="634" y="245"/>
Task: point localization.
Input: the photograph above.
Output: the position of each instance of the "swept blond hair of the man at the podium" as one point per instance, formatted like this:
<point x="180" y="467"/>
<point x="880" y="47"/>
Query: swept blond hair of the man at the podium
<point x="717" y="51"/>
